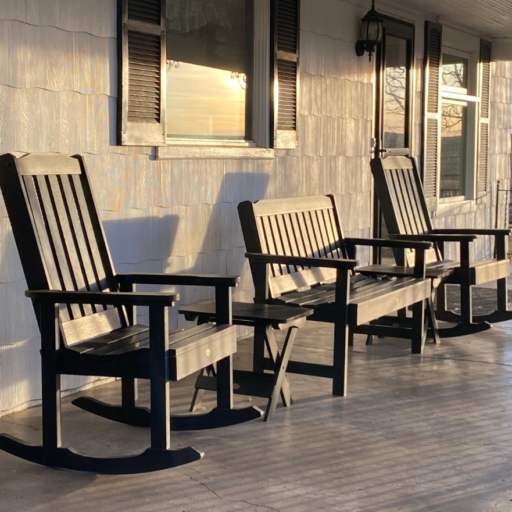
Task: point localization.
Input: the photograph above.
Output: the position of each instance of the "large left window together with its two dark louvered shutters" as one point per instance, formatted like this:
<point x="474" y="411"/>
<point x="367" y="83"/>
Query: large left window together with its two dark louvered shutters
<point x="208" y="72"/>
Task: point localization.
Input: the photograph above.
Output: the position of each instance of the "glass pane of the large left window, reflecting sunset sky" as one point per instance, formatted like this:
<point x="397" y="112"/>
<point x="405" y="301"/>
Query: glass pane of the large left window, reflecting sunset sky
<point x="206" y="68"/>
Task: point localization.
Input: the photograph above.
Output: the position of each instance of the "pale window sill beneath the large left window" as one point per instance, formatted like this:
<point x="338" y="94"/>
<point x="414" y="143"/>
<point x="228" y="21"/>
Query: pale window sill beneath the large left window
<point x="218" y="150"/>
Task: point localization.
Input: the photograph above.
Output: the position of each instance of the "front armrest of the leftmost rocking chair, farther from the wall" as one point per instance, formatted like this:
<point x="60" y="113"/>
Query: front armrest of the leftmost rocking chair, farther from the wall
<point x="104" y="298"/>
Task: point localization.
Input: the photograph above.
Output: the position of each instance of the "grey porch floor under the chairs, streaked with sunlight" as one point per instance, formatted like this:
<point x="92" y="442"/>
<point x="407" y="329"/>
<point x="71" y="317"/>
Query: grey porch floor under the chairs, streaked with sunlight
<point x="416" y="433"/>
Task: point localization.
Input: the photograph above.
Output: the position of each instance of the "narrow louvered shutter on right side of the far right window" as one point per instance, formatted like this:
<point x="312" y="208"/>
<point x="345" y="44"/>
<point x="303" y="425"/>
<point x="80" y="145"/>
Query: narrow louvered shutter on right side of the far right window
<point x="483" y="138"/>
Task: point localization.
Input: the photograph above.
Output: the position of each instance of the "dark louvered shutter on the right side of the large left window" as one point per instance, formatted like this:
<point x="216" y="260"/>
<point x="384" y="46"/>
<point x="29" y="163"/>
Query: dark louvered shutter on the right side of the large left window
<point x="286" y="72"/>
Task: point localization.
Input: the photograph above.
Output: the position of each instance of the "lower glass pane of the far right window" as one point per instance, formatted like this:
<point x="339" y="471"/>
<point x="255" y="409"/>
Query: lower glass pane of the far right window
<point x="453" y="149"/>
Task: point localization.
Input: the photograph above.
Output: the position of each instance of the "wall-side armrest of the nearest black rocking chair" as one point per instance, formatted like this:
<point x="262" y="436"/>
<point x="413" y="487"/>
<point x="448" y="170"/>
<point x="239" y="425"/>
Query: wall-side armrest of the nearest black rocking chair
<point x="177" y="279"/>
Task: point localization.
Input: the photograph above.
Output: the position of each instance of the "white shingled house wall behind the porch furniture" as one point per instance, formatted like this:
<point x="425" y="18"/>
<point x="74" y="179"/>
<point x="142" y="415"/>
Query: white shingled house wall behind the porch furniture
<point x="58" y="93"/>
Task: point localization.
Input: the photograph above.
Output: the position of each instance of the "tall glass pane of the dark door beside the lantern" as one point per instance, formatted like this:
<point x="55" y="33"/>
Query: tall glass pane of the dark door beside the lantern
<point x="395" y="97"/>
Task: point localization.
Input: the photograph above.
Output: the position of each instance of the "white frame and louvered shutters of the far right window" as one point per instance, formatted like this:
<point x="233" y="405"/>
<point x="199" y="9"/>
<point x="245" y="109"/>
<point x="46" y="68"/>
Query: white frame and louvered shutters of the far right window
<point x="439" y="40"/>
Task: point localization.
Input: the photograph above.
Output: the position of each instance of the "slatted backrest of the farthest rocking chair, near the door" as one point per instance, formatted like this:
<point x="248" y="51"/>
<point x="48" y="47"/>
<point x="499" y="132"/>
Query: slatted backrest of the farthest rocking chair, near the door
<point x="402" y="199"/>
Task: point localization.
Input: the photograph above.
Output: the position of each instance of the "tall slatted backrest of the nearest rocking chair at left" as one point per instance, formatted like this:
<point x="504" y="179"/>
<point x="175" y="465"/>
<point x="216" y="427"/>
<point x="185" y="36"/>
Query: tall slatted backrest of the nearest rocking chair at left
<point x="60" y="238"/>
